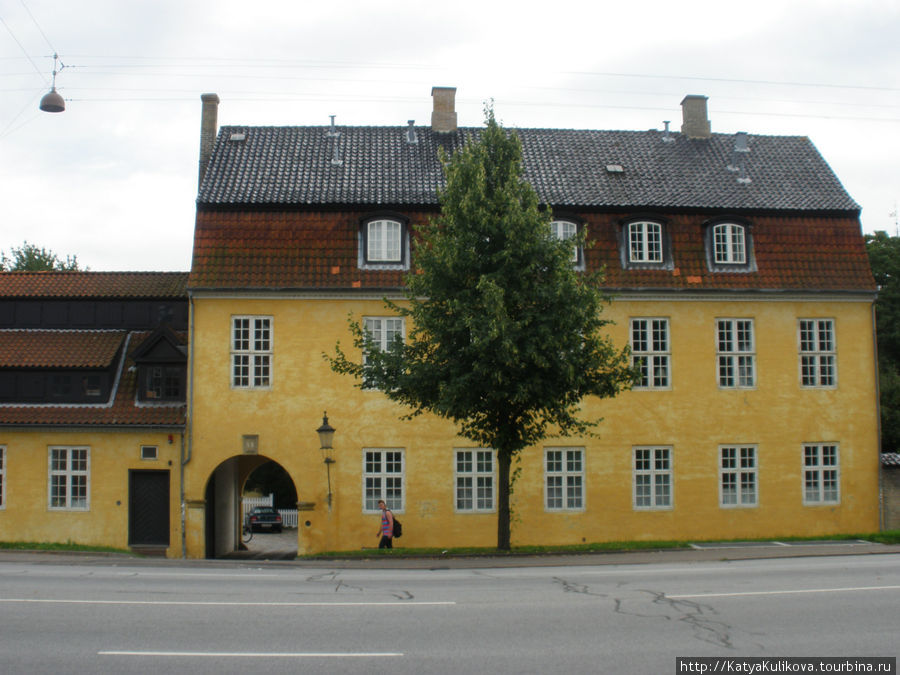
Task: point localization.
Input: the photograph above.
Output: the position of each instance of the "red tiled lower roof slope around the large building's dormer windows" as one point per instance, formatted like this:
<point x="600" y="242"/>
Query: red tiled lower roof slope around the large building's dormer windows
<point x="274" y="249"/>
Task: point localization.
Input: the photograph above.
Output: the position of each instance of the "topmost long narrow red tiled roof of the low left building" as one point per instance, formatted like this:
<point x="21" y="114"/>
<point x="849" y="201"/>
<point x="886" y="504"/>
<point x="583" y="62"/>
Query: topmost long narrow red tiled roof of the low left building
<point x="130" y="285"/>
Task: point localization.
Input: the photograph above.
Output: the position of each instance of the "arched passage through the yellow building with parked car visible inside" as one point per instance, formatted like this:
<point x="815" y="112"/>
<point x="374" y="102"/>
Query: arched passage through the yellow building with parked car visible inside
<point x="250" y="479"/>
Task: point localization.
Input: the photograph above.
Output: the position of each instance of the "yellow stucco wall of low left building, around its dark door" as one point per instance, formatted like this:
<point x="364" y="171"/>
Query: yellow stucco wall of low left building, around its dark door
<point x="26" y="515"/>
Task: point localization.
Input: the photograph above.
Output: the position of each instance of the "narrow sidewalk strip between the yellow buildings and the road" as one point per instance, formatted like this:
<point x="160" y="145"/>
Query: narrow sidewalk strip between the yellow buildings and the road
<point x="705" y="552"/>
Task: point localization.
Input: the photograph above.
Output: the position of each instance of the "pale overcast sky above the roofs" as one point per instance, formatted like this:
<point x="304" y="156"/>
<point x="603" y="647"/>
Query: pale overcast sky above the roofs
<point x="113" y="179"/>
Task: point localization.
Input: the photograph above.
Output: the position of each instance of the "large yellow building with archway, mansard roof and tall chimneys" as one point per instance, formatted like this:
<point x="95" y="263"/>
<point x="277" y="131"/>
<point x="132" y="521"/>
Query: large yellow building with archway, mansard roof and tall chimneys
<point x="741" y="282"/>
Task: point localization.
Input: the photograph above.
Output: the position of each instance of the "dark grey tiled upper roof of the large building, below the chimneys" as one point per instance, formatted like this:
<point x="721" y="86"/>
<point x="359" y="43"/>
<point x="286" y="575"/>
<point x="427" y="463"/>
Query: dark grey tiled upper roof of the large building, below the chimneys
<point x="568" y="168"/>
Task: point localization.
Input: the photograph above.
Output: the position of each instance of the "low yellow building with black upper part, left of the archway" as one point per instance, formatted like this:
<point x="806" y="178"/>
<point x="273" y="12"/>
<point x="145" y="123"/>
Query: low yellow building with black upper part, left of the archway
<point x="92" y="408"/>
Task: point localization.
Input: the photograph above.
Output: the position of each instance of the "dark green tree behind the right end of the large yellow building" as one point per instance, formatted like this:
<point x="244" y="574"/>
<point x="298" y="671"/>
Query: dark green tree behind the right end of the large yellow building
<point x="884" y="257"/>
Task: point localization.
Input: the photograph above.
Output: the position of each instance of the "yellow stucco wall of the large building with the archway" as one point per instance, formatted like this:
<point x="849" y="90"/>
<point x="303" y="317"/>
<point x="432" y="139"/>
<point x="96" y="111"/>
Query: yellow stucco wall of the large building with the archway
<point x="693" y="418"/>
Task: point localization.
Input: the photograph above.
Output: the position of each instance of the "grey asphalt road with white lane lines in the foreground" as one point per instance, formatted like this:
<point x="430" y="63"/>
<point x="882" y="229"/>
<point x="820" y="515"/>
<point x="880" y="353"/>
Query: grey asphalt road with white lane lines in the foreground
<point x="122" y="617"/>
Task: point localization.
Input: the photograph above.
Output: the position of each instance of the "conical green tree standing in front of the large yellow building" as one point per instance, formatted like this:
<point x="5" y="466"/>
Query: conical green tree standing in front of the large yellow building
<point x="505" y="336"/>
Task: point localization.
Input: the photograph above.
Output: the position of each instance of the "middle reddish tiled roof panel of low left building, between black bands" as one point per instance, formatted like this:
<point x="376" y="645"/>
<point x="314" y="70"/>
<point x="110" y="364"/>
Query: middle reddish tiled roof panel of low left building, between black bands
<point x="58" y="348"/>
